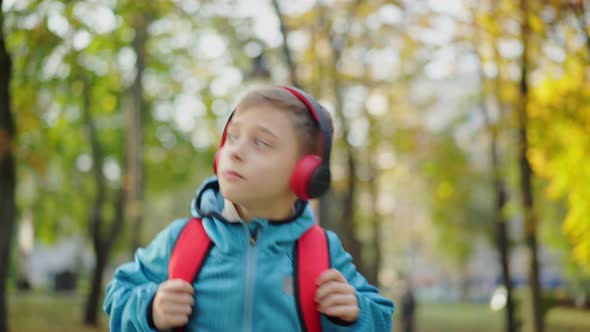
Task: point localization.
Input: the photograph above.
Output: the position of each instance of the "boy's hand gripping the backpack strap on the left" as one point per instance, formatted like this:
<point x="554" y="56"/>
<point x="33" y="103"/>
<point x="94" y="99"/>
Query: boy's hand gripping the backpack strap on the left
<point x="172" y="304"/>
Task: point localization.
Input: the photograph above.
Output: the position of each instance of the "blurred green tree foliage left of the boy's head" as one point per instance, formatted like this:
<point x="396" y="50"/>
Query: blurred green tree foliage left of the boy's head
<point x="58" y="45"/>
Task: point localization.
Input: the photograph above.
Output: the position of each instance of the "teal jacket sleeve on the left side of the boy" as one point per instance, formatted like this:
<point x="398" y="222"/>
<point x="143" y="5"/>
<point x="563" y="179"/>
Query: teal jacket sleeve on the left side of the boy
<point x="134" y="284"/>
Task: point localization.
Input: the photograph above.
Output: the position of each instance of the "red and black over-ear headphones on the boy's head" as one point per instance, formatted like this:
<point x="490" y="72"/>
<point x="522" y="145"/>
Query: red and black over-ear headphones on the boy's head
<point x="311" y="177"/>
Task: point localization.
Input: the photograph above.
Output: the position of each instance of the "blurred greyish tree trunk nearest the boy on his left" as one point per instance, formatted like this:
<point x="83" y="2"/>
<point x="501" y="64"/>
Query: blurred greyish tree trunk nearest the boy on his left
<point x="135" y="178"/>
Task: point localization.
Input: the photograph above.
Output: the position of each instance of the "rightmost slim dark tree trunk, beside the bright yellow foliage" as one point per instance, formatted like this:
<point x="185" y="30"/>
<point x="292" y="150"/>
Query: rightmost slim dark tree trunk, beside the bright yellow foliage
<point x="526" y="176"/>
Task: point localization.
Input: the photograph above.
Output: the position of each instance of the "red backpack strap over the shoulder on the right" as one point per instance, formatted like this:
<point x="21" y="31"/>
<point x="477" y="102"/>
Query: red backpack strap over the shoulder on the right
<point x="311" y="258"/>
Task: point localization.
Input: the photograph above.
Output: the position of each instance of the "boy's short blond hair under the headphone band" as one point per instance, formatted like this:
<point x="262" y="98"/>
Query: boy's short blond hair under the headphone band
<point x="306" y="127"/>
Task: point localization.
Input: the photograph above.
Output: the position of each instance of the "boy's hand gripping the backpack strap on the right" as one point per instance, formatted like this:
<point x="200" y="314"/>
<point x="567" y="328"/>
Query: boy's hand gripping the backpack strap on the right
<point x="336" y="297"/>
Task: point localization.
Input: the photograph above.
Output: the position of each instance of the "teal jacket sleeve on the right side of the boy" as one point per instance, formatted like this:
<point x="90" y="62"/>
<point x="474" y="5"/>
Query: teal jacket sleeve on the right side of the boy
<point x="375" y="311"/>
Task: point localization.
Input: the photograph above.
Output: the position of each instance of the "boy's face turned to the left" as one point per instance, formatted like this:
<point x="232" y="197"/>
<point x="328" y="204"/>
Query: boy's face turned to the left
<point x="258" y="157"/>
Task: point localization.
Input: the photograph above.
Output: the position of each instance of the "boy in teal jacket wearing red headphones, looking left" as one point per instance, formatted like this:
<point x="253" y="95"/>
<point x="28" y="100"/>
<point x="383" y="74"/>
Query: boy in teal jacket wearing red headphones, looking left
<point x="273" y="157"/>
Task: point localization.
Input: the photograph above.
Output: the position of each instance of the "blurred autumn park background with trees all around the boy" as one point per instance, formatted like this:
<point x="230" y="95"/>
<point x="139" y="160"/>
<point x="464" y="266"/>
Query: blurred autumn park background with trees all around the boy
<point x="461" y="163"/>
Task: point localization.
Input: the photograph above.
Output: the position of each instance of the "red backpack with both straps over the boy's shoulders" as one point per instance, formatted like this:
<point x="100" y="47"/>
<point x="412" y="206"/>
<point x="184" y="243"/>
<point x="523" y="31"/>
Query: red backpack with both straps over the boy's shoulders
<point x="311" y="257"/>
